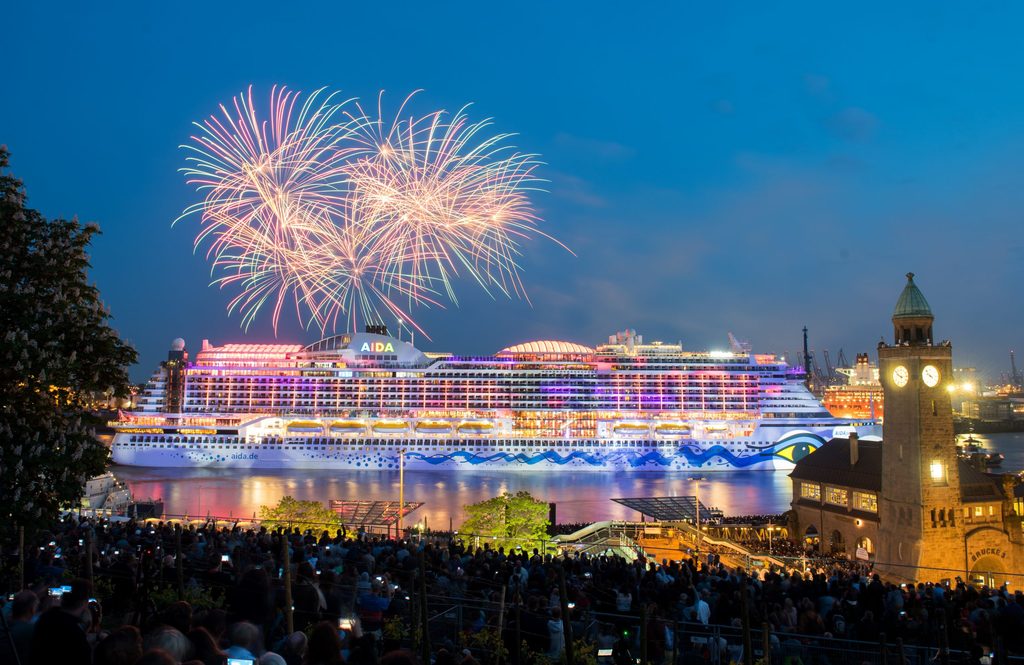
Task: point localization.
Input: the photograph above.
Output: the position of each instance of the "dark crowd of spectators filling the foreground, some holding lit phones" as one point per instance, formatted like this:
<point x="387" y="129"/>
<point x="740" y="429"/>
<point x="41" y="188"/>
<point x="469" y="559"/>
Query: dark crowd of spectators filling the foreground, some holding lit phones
<point x="354" y="599"/>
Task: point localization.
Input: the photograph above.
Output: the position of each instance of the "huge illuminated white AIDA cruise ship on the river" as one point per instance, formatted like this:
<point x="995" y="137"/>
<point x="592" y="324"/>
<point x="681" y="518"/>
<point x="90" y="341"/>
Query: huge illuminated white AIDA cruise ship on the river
<point x="370" y="401"/>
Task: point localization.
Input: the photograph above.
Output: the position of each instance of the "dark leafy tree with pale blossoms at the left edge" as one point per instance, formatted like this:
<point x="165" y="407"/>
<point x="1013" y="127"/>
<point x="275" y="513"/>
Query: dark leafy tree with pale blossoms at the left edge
<point x="57" y="351"/>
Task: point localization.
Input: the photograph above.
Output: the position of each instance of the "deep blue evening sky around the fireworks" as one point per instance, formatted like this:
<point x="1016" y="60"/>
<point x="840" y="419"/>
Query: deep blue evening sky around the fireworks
<point x="752" y="169"/>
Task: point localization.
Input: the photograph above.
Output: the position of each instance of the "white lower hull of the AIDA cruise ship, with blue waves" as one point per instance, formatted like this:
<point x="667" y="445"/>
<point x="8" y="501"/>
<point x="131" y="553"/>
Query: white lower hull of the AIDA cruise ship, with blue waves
<point x="466" y="453"/>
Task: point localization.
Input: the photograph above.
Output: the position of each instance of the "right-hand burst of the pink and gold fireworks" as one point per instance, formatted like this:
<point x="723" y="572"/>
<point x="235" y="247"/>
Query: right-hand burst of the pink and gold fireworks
<point x="446" y="199"/>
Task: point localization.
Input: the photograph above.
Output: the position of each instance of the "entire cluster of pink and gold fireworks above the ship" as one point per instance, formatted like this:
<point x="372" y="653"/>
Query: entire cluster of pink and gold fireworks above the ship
<point x="353" y="216"/>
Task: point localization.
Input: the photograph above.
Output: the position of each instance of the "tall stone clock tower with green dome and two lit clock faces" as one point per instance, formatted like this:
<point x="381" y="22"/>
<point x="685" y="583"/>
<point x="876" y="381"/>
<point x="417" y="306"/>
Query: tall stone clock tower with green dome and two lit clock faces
<point x="920" y="509"/>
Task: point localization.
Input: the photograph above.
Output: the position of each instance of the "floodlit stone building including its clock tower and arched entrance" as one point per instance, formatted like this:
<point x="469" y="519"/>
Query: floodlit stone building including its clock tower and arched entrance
<point x="908" y="503"/>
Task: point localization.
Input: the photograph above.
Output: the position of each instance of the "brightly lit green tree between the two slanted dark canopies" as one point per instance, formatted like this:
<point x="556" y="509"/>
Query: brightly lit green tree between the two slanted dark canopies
<point x="508" y="520"/>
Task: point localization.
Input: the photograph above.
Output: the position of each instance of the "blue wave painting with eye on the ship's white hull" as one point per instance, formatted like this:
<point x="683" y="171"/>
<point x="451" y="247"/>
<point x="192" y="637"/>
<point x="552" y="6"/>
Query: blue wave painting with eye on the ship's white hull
<point x="792" y="448"/>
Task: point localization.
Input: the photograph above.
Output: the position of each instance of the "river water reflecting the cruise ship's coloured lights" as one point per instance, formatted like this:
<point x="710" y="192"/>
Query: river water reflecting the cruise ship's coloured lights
<point x="582" y="496"/>
